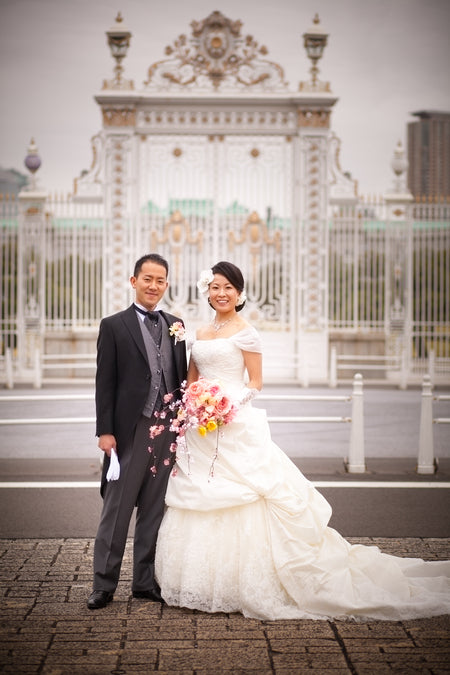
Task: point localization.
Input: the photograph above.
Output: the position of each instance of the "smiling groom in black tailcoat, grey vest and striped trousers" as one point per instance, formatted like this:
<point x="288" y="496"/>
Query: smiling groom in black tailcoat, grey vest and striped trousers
<point x="138" y="362"/>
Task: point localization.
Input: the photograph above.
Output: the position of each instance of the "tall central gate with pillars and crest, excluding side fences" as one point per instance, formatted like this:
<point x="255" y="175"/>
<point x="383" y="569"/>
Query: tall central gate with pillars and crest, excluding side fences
<point x="216" y="159"/>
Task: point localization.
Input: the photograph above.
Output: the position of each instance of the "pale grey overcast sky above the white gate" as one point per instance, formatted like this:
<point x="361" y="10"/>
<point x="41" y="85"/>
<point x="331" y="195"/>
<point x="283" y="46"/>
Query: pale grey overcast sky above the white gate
<point x="384" y="60"/>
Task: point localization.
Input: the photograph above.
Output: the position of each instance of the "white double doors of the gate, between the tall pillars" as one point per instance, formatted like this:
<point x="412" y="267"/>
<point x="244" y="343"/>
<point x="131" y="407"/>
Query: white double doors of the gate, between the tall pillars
<point x="221" y="204"/>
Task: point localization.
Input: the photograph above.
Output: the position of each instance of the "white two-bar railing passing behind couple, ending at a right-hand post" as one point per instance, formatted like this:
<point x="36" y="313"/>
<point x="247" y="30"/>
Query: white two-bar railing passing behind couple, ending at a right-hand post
<point x="355" y="462"/>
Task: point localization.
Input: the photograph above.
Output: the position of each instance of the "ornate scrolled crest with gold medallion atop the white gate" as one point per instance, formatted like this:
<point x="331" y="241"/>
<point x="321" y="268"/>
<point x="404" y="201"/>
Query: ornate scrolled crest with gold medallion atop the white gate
<point x="216" y="56"/>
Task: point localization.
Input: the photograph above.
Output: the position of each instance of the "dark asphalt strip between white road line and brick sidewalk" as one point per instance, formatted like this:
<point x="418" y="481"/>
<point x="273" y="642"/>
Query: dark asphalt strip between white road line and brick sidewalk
<point x="74" y="513"/>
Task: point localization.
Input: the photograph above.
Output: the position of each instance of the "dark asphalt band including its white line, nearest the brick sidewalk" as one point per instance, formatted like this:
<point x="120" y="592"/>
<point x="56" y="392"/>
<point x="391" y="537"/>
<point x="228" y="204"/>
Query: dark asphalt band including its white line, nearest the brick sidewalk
<point x="378" y="507"/>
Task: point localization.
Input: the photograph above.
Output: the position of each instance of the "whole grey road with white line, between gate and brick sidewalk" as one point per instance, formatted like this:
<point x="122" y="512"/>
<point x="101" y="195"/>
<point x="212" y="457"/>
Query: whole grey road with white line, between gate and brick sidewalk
<point x="68" y="452"/>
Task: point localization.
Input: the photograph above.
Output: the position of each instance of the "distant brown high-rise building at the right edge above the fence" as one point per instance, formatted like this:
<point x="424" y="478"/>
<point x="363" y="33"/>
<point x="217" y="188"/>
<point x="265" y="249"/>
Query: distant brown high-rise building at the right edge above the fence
<point x="429" y="154"/>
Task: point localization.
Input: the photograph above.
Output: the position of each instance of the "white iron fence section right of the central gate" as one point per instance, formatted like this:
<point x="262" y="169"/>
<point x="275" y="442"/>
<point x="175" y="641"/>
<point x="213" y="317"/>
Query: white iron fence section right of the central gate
<point x="393" y="277"/>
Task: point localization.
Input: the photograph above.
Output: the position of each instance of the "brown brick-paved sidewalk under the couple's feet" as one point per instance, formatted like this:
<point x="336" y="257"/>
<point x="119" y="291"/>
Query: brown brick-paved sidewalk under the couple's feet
<point x="46" y="627"/>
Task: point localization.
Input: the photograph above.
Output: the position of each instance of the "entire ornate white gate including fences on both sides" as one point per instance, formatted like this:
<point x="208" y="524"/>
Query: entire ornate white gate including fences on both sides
<point x="214" y="158"/>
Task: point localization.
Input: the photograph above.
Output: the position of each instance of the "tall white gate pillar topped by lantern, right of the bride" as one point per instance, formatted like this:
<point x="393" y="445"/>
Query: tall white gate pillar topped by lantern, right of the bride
<point x="314" y="104"/>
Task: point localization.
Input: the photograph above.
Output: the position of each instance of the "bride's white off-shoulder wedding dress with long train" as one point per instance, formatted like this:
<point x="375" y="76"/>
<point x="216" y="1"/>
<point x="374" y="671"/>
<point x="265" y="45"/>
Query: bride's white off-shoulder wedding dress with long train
<point x="255" y="539"/>
